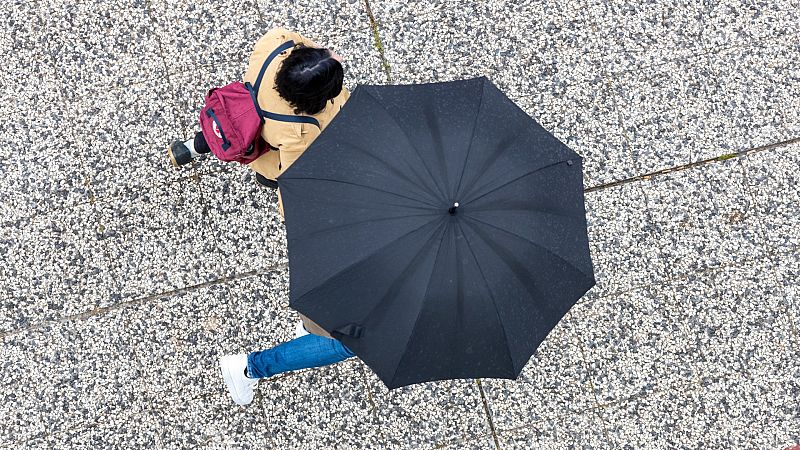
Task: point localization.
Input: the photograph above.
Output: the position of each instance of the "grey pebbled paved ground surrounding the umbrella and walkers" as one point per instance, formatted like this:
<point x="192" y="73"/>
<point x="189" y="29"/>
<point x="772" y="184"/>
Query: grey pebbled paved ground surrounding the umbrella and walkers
<point x="122" y="280"/>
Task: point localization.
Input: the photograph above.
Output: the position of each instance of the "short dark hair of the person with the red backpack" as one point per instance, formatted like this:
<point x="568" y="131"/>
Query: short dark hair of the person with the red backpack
<point x="308" y="78"/>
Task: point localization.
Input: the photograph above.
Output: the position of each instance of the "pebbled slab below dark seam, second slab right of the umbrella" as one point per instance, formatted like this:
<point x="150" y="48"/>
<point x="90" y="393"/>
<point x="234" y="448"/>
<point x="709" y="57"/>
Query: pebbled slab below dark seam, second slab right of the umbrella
<point x="705" y="218"/>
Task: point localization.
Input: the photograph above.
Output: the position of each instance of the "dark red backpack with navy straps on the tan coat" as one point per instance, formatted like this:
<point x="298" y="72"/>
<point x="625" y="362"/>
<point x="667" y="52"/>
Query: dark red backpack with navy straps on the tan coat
<point x="231" y="119"/>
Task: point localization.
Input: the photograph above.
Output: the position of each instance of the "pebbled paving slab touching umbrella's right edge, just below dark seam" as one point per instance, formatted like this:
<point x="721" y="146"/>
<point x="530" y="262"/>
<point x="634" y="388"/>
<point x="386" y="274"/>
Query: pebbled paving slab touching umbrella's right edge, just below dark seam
<point x="623" y="240"/>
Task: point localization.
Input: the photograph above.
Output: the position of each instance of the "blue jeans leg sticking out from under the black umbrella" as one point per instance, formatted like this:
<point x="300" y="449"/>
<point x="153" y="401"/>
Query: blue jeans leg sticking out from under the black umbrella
<point x="299" y="353"/>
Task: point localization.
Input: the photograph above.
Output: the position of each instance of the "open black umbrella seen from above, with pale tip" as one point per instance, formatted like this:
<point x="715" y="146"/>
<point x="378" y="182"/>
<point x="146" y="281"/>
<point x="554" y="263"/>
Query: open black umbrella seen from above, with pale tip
<point x="436" y="230"/>
